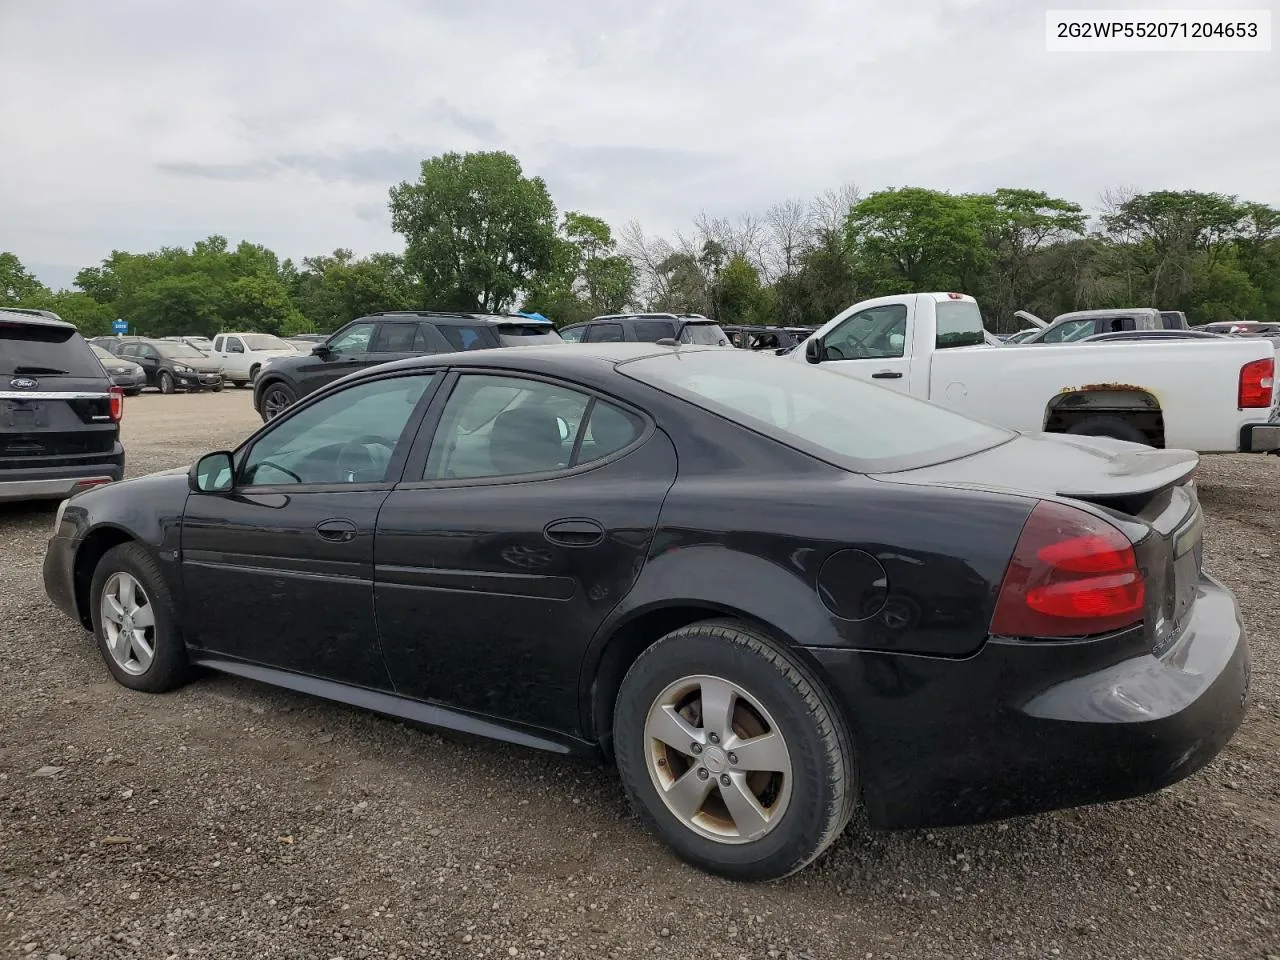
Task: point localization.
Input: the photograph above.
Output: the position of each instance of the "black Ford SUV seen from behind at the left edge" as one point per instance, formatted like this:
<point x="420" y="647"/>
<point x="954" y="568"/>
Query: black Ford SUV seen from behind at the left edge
<point x="60" y="412"/>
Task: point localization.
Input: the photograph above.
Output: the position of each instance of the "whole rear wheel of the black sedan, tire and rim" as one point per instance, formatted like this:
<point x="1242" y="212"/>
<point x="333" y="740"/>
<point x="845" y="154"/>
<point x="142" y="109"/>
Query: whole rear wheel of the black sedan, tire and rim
<point x="739" y="758"/>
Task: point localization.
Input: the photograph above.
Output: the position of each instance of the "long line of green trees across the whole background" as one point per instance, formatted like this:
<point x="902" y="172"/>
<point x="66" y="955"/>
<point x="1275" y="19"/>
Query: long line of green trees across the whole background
<point x="483" y="236"/>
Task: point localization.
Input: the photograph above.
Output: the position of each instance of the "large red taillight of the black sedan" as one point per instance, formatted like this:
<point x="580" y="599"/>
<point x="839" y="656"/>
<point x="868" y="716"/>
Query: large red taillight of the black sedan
<point x="1072" y="575"/>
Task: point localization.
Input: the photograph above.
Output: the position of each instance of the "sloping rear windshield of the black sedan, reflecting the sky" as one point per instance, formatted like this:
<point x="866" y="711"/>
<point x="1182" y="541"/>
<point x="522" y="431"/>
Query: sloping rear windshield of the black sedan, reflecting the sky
<point x="835" y="418"/>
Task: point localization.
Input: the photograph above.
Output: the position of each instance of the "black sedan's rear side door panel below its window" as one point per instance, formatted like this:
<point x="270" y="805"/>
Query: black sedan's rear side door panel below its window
<point x="479" y="610"/>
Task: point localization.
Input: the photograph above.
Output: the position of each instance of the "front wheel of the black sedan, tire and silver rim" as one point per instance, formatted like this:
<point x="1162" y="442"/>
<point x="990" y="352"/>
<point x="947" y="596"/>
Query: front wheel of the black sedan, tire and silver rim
<point x="136" y="624"/>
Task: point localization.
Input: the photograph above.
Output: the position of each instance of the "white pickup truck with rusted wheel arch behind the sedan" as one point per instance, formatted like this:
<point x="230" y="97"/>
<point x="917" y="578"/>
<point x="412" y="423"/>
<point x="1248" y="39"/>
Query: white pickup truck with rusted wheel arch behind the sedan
<point x="1208" y="396"/>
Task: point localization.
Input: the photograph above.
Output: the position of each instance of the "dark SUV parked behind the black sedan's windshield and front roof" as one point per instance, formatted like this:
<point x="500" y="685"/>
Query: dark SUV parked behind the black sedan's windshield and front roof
<point x="382" y="339"/>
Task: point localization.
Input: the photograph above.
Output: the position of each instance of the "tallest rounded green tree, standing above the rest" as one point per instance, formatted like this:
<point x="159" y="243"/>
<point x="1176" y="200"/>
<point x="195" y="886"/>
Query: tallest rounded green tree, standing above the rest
<point x="477" y="231"/>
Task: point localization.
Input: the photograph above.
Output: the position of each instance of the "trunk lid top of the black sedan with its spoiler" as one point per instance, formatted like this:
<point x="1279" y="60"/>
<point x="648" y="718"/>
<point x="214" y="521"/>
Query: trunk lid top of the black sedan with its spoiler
<point x="1057" y="465"/>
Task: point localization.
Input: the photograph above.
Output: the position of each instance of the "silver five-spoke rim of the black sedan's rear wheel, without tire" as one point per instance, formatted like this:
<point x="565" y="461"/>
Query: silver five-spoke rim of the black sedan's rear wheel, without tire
<point x="719" y="761"/>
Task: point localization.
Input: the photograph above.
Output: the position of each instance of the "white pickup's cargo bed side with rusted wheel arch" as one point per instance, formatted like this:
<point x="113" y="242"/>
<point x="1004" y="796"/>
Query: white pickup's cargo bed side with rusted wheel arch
<point x="1196" y="383"/>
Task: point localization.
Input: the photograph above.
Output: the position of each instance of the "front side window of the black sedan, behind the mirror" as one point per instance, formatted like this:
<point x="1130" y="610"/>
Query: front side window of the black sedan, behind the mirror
<point x="346" y="438"/>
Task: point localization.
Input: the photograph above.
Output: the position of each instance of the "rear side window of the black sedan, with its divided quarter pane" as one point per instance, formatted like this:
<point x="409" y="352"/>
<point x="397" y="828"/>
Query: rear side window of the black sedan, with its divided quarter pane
<point x="508" y="427"/>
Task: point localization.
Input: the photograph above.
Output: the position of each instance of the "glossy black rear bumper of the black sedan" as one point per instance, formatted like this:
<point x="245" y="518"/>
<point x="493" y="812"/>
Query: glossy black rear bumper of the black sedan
<point x="1022" y="729"/>
